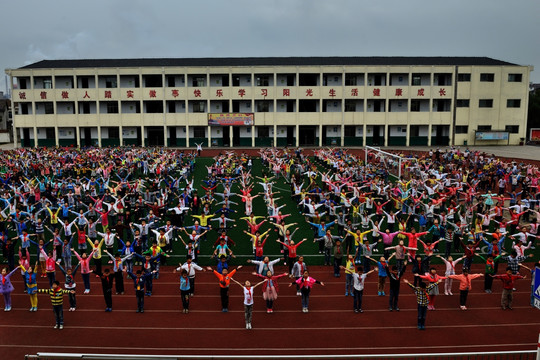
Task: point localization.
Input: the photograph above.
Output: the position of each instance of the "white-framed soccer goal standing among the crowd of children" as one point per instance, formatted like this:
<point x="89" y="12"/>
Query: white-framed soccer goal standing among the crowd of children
<point x="396" y="165"/>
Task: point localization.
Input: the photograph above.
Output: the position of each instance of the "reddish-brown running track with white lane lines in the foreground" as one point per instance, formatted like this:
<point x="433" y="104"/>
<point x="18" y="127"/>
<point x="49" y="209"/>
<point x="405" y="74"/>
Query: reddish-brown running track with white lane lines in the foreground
<point x="331" y="327"/>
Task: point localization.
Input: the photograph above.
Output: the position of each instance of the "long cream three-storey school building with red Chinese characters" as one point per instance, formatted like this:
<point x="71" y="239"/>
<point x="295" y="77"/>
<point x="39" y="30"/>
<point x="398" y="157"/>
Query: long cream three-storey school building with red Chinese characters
<point x="304" y="101"/>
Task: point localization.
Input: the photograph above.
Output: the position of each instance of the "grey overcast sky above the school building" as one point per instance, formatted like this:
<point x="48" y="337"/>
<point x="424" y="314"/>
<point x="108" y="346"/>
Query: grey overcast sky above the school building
<point x="34" y="30"/>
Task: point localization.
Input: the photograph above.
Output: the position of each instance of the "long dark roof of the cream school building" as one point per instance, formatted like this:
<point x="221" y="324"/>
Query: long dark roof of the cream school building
<point x="265" y="61"/>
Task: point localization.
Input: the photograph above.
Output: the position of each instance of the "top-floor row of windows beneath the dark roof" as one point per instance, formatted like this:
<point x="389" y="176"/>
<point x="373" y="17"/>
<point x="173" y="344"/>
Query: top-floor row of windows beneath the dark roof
<point x="225" y="80"/>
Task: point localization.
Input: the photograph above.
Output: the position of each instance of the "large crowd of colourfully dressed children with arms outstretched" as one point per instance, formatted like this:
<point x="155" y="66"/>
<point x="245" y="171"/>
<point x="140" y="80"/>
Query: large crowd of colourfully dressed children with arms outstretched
<point x="130" y="204"/>
